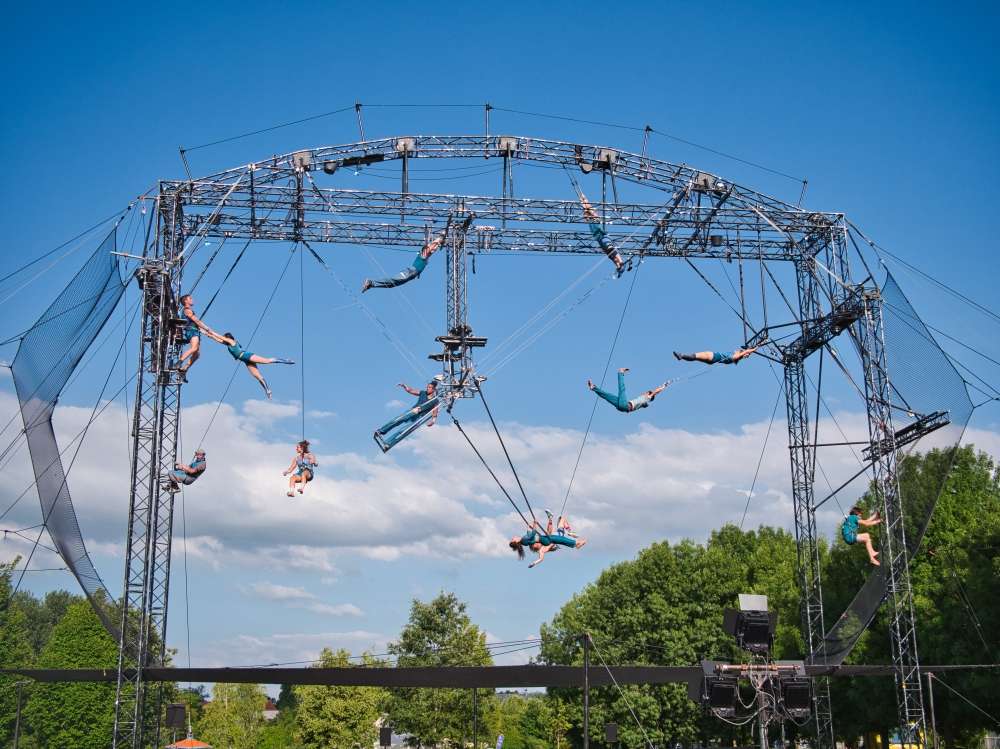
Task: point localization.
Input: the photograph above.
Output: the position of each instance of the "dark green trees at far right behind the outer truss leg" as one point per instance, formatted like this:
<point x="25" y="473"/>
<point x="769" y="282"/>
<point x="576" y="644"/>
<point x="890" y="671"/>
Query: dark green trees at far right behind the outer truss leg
<point x="954" y="578"/>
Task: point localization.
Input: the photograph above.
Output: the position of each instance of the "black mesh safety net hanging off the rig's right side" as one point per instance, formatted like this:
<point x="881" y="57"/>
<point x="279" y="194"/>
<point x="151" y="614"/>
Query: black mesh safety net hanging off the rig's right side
<point x="930" y="410"/>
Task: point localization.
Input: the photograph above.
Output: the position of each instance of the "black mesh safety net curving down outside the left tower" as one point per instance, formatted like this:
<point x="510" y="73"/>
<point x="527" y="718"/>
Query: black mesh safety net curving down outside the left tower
<point x="46" y="358"/>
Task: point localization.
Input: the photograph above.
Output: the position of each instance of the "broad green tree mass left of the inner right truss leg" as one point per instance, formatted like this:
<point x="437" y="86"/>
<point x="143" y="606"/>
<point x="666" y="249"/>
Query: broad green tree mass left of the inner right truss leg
<point x="665" y="607"/>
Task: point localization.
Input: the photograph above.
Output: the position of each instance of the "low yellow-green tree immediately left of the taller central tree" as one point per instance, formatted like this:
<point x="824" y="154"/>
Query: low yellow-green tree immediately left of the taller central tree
<point x="338" y="716"/>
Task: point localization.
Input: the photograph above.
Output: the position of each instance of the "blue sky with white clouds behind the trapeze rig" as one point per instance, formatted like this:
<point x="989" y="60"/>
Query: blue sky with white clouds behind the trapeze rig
<point x="890" y="112"/>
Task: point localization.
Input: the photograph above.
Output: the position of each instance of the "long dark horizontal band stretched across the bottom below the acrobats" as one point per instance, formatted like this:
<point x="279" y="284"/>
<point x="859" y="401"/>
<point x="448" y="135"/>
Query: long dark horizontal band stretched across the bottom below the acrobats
<point x="464" y="677"/>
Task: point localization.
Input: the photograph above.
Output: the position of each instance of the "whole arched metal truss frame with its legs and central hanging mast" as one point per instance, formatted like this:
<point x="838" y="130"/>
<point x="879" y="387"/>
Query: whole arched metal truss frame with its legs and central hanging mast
<point x="698" y="217"/>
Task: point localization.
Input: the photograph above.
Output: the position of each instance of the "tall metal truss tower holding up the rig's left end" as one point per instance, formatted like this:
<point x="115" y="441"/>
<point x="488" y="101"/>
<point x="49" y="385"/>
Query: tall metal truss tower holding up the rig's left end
<point x="155" y="425"/>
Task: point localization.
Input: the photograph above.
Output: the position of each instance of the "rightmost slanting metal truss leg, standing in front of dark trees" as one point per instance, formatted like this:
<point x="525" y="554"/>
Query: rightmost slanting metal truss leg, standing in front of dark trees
<point x="894" y="554"/>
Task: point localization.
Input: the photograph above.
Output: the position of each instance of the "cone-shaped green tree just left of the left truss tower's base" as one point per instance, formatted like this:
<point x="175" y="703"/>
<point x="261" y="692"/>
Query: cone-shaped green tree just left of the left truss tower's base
<point x="74" y="714"/>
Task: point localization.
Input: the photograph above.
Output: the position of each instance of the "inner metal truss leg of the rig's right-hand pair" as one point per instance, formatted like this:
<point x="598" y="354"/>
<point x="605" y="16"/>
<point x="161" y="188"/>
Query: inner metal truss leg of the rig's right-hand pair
<point x="803" y="461"/>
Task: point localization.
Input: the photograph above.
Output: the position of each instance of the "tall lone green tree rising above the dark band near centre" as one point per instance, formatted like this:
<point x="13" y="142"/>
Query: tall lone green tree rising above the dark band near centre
<point x="439" y="633"/>
